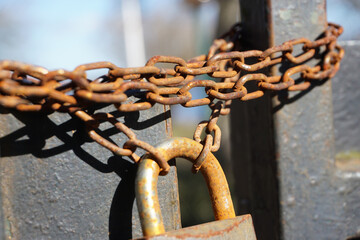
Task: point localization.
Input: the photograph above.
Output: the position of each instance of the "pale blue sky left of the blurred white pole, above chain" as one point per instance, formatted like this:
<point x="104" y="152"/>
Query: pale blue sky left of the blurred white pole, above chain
<point x="61" y="34"/>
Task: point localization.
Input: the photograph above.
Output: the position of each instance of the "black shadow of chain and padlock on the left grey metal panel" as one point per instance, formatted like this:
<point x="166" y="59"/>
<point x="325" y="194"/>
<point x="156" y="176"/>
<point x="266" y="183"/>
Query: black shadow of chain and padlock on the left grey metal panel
<point x="38" y="128"/>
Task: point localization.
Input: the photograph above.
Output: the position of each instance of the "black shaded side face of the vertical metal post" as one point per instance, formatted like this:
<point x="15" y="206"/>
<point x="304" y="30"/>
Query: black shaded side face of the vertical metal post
<point x="252" y="137"/>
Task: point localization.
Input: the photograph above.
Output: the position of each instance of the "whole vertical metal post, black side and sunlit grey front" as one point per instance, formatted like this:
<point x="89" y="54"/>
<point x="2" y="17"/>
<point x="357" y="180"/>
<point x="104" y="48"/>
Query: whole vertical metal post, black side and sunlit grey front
<point x="284" y="147"/>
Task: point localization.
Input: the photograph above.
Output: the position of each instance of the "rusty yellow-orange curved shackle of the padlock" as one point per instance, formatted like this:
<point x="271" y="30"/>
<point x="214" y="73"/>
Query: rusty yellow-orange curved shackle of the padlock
<point x="147" y="177"/>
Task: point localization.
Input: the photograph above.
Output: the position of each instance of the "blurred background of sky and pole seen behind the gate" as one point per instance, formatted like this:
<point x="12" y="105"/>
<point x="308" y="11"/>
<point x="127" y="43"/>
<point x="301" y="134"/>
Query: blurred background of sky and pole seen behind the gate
<point x="64" y="34"/>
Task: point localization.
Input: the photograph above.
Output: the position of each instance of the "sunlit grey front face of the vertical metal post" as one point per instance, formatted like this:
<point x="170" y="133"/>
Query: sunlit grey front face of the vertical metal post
<point x="310" y="203"/>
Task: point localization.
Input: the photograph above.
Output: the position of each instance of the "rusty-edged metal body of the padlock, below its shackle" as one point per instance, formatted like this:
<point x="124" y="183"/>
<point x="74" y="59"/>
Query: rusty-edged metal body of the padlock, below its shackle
<point x="235" y="228"/>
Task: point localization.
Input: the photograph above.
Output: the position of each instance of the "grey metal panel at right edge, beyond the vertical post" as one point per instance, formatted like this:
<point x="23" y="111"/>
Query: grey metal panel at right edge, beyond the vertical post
<point x="346" y="104"/>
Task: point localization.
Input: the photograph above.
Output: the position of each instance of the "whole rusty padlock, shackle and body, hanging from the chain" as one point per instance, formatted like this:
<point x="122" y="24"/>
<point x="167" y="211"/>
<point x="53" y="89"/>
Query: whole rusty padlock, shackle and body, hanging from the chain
<point x="227" y="225"/>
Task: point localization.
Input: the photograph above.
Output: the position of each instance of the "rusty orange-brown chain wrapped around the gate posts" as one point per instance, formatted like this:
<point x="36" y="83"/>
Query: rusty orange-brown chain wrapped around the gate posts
<point x="26" y="87"/>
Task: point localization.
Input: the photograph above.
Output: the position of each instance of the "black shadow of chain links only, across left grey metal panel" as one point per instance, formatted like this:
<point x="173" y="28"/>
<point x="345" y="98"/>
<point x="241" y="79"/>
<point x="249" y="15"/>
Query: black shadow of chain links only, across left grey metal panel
<point x="13" y="145"/>
